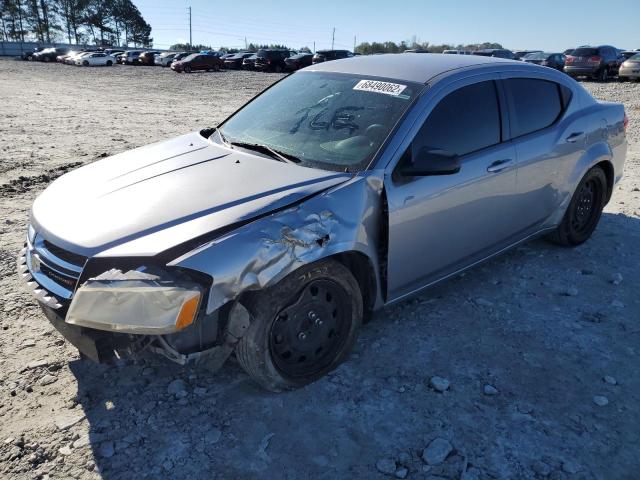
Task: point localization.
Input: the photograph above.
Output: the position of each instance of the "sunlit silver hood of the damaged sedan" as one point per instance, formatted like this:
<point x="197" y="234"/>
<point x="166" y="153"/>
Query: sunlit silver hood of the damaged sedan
<point x="146" y="200"/>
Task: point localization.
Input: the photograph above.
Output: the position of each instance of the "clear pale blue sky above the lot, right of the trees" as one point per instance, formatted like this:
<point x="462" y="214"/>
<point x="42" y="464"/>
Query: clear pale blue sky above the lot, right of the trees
<point x="544" y="24"/>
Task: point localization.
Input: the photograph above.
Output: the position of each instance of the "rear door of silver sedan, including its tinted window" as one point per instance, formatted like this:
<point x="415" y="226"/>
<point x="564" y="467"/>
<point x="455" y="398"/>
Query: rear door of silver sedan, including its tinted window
<point x="547" y="145"/>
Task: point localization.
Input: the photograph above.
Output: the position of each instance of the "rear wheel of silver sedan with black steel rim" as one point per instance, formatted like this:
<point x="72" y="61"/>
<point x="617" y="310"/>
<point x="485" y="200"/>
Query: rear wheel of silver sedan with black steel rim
<point x="584" y="211"/>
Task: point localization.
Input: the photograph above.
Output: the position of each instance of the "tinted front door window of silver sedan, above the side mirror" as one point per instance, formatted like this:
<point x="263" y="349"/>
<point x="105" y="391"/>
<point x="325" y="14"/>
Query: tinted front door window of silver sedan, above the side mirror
<point x="464" y="121"/>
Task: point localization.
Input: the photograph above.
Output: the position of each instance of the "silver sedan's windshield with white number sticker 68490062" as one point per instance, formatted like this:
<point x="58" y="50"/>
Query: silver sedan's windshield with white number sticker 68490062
<point x="326" y="120"/>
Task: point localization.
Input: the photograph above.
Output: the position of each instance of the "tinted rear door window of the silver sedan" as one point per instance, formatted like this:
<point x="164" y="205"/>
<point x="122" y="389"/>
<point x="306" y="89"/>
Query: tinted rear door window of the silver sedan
<point x="536" y="104"/>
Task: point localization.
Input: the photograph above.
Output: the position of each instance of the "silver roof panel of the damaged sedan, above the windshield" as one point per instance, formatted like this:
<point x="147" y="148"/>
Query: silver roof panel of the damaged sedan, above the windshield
<point x="408" y="67"/>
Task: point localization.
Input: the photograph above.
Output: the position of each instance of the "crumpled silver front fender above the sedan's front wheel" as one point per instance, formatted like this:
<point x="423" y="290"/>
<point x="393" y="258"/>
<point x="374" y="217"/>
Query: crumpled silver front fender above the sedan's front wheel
<point x="257" y="255"/>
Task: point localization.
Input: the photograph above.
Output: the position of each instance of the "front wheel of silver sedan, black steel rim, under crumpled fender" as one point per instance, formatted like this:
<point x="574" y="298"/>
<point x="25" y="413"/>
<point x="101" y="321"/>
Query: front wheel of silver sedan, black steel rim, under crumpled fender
<point x="287" y="326"/>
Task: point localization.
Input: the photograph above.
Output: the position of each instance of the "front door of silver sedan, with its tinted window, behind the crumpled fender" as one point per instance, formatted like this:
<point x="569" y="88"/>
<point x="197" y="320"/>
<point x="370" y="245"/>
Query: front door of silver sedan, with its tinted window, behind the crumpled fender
<point x="440" y="224"/>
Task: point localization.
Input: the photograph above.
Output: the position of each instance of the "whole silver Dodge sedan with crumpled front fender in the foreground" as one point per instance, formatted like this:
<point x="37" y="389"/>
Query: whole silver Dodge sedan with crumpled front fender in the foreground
<point x="345" y="187"/>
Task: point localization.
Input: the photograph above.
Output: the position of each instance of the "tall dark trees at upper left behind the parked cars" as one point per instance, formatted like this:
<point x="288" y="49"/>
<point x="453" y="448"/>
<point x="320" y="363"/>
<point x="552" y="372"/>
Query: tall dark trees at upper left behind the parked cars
<point x="99" y="22"/>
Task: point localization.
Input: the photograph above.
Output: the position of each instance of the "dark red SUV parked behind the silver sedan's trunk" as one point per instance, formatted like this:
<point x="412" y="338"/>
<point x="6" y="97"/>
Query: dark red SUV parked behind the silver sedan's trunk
<point x="595" y="62"/>
